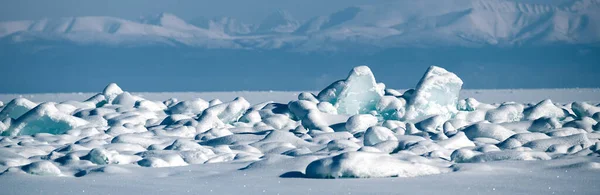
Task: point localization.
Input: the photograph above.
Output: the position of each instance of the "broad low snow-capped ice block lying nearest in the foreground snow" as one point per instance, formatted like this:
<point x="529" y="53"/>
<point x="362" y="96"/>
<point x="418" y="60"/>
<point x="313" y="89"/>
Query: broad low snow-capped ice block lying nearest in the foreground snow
<point x="368" y="165"/>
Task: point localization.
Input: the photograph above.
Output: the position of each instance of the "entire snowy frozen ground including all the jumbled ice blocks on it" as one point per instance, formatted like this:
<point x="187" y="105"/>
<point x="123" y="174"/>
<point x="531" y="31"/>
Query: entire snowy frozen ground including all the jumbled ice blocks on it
<point x="353" y="137"/>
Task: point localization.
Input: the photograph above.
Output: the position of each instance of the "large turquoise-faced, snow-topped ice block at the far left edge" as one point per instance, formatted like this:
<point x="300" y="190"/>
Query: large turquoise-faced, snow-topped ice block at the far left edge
<point x="45" y="118"/>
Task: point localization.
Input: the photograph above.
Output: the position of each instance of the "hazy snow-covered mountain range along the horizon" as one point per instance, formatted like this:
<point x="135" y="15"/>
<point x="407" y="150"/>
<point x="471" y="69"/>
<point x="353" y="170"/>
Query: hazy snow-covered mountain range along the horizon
<point x="423" y="23"/>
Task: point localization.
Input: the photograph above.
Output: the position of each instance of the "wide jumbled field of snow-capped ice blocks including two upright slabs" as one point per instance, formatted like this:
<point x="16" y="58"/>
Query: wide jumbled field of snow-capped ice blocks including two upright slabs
<point x="353" y="128"/>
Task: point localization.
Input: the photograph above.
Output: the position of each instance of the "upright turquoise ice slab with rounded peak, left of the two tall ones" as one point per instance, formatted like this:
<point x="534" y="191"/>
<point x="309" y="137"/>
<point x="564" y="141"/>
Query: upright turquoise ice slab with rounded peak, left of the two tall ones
<point x="358" y="94"/>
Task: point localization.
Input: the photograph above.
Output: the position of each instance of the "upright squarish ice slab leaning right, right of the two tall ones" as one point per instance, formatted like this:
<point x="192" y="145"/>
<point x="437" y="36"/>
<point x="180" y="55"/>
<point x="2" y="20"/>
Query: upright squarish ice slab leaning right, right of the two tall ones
<point x="436" y="94"/>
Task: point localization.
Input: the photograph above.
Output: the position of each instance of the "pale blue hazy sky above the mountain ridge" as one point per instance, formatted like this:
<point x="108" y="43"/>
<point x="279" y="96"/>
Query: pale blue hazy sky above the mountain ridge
<point x="245" y="10"/>
